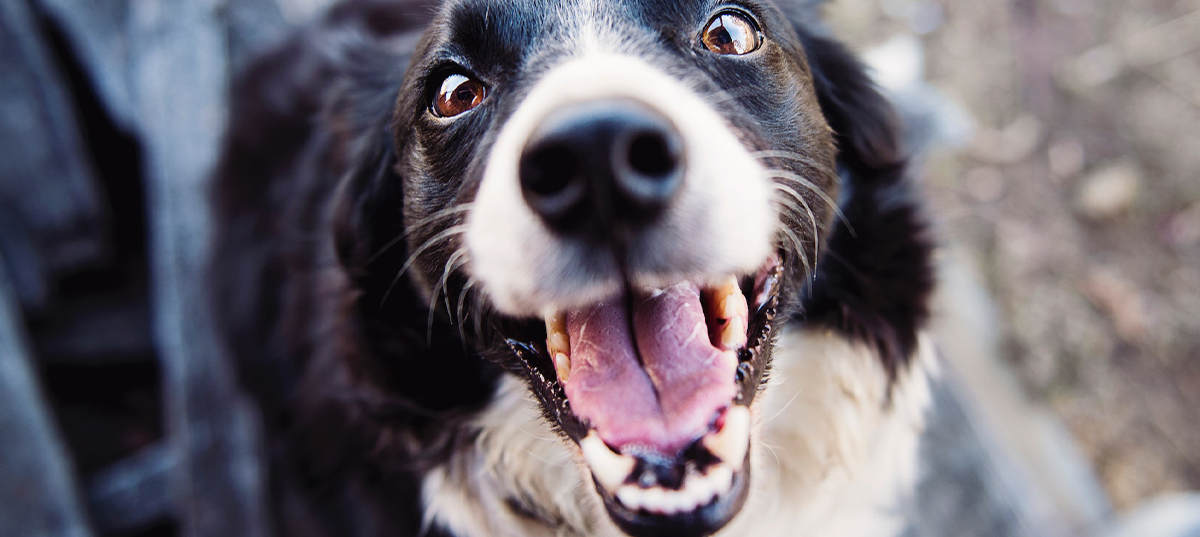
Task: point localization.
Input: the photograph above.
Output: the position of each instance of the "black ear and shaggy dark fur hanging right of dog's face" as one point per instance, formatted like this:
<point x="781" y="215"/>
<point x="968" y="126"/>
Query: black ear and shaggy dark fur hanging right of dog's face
<point x="877" y="286"/>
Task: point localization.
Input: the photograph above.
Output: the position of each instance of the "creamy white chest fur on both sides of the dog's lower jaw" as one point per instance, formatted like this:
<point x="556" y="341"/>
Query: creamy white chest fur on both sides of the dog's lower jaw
<point x="832" y="455"/>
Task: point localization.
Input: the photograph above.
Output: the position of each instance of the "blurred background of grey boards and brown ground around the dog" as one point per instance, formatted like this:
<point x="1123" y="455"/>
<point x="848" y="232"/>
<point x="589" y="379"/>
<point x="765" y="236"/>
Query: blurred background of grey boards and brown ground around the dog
<point x="1059" y="143"/>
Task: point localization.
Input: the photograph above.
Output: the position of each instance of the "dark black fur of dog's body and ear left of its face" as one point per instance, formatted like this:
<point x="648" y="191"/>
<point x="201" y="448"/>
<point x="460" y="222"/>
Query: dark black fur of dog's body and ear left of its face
<point x="307" y="196"/>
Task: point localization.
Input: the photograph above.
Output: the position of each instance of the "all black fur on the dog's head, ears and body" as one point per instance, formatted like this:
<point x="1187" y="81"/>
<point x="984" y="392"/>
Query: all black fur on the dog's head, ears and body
<point x="361" y="395"/>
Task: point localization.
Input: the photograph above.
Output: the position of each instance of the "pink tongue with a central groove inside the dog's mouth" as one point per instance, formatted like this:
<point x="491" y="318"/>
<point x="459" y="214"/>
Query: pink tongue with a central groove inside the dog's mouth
<point x="670" y="403"/>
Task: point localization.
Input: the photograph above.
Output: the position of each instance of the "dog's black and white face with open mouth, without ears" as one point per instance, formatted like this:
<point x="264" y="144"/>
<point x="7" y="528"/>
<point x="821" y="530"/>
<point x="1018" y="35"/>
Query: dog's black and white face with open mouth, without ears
<point x="628" y="197"/>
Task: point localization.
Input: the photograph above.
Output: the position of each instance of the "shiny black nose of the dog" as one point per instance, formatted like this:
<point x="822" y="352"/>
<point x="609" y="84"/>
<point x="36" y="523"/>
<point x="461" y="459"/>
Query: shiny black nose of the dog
<point x="604" y="166"/>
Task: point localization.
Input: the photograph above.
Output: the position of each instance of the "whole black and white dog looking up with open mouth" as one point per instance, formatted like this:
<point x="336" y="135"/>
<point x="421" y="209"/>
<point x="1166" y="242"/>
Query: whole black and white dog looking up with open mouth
<point x="575" y="268"/>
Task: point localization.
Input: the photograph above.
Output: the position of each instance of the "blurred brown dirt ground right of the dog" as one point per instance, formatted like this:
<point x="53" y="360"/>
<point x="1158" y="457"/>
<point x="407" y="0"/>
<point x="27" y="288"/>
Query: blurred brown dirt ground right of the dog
<point x="1078" y="198"/>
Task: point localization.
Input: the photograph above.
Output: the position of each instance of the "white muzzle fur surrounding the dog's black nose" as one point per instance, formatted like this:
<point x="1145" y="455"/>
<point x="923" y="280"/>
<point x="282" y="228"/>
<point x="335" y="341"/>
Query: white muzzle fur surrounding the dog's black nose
<point x="721" y="224"/>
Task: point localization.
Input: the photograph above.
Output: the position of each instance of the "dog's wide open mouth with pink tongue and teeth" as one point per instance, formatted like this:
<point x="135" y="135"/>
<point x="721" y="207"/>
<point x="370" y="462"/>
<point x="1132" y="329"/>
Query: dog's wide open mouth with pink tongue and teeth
<point x="659" y="403"/>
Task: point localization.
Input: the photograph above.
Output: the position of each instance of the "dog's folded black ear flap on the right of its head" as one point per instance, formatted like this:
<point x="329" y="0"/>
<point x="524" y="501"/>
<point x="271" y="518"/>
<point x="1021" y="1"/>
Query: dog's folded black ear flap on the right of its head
<point x="866" y="125"/>
